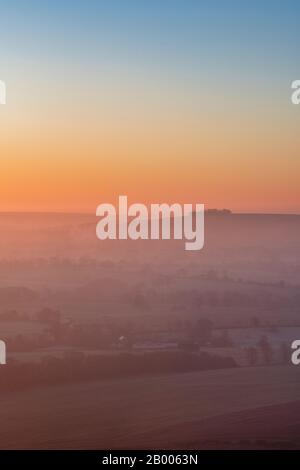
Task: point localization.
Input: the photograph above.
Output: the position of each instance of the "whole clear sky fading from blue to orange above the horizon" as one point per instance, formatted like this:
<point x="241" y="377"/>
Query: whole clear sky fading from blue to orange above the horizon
<point x="163" y="101"/>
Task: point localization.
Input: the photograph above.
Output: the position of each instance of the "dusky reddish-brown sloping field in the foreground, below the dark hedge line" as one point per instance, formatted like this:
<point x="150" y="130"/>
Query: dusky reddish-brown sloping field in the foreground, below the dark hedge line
<point x="154" y="412"/>
